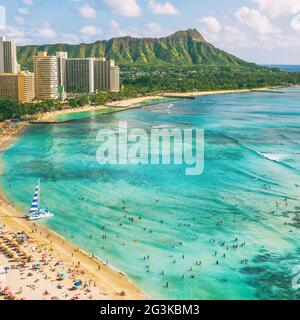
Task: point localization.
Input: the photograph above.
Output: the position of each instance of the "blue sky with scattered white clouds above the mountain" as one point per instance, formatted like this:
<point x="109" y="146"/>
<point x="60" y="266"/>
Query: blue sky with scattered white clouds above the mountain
<point x="262" y="31"/>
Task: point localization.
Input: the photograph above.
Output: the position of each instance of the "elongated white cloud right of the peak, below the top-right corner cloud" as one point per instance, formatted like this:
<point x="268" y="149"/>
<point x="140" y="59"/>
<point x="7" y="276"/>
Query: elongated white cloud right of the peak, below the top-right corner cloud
<point x="256" y="20"/>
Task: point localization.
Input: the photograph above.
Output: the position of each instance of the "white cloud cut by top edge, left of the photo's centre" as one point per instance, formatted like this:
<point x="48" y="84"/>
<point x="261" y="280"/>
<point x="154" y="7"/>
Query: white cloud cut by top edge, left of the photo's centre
<point x="128" y="8"/>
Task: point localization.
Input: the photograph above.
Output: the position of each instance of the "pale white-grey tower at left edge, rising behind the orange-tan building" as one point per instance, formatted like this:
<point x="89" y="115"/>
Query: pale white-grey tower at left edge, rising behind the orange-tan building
<point x="8" y="57"/>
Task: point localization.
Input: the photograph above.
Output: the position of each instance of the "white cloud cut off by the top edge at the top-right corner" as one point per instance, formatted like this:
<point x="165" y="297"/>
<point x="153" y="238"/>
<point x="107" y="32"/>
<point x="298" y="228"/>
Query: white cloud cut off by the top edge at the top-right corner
<point x="277" y="8"/>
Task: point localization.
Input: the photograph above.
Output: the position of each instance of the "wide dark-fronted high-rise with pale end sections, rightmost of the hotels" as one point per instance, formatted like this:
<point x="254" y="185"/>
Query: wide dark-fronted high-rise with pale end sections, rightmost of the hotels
<point x="87" y="74"/>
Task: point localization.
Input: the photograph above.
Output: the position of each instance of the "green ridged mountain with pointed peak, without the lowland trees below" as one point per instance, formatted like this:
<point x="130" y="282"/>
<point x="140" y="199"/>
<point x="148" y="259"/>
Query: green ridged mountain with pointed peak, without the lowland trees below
<point x="185" y="48"/>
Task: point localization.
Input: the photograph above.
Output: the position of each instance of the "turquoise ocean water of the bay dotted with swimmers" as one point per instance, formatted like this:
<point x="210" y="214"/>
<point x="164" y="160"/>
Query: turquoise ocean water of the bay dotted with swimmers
<point x="136" y="211"/>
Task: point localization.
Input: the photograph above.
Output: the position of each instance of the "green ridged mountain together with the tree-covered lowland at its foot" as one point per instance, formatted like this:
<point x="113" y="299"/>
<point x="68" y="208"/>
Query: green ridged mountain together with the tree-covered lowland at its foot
<point x="183" y="61"/>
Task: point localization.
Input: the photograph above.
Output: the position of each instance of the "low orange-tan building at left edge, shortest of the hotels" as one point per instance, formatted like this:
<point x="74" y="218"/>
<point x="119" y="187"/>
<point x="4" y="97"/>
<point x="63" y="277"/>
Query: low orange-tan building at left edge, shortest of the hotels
<point x="17" y="87"/>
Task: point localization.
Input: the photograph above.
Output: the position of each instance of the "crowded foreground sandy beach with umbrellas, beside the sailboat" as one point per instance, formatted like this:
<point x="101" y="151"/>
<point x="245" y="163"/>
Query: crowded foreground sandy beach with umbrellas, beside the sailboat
<point x="62" y="265"/>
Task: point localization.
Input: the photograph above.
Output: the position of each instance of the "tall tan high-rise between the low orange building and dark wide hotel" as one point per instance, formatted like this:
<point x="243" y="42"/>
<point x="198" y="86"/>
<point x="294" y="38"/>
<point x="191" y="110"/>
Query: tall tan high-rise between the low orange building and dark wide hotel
<point x="46" y="76"/>
